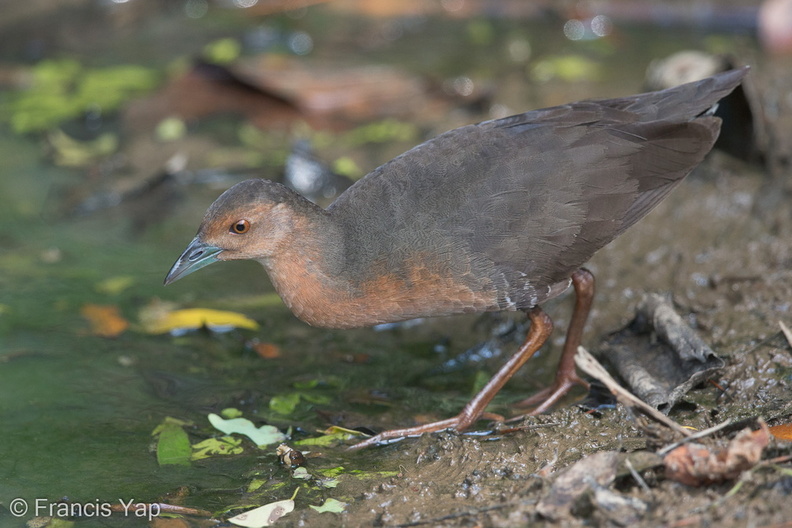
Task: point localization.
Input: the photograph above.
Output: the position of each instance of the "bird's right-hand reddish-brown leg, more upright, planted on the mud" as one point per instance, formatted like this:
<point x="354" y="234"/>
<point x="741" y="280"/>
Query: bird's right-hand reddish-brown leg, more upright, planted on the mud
<point x="566" y="375"/>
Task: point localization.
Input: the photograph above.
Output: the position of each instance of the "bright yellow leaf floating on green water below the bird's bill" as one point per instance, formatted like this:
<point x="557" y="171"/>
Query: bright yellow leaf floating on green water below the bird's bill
<point x="181" y="321"/>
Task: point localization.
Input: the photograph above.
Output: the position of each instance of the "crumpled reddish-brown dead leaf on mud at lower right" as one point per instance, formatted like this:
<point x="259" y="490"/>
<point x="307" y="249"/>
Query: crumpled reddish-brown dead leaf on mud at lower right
<point x="697" y="465"/>
